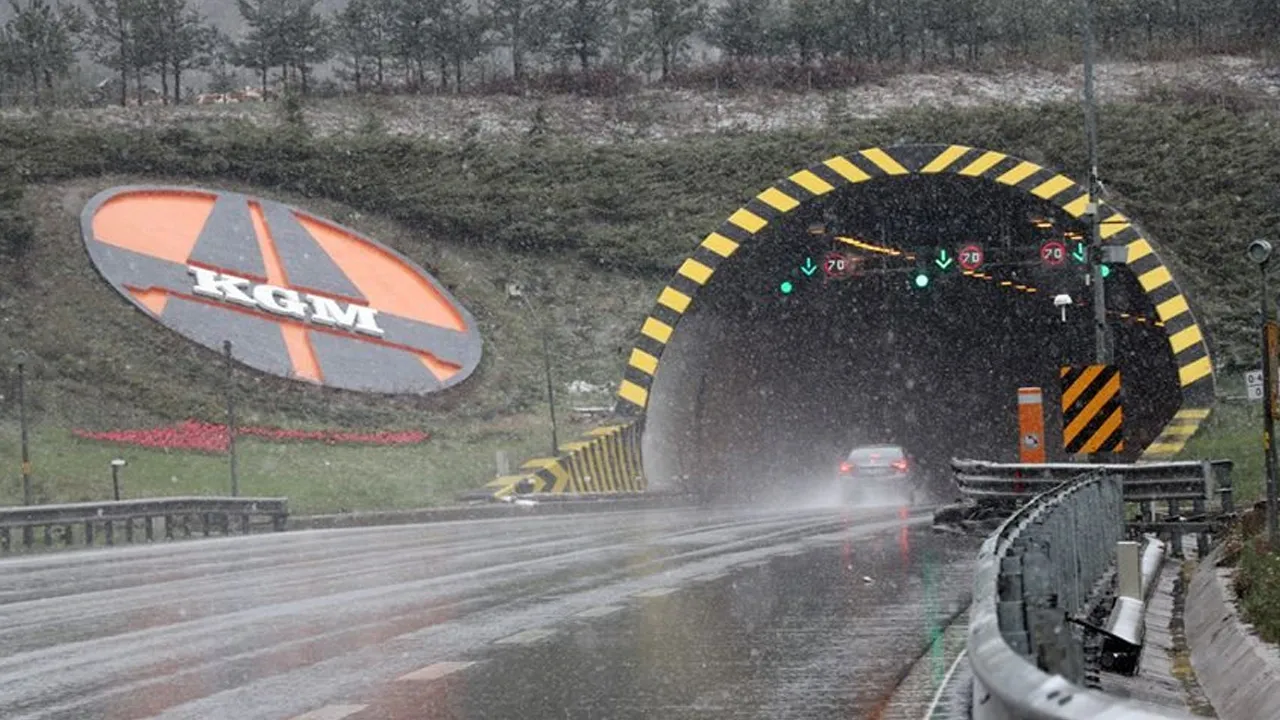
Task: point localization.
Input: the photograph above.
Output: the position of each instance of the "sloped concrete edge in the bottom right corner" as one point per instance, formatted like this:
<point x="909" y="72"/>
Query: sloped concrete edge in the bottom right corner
<point x="1238" y="672"/>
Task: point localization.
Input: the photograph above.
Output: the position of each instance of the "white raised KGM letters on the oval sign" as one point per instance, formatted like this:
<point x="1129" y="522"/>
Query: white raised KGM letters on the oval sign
<point x="285" y="302"/>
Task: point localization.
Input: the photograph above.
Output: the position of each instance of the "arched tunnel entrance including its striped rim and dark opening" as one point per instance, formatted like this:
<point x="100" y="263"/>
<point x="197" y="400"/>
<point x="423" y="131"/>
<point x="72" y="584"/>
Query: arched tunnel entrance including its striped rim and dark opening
<point x="760" y="370"/>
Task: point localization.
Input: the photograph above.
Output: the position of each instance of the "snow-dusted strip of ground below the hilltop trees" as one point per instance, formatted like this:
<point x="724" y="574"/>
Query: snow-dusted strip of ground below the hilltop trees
<point x="660" y="115"/>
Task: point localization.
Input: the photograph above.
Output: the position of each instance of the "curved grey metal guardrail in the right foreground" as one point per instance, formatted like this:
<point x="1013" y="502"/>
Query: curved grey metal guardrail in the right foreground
<point x="1035" y="575"/>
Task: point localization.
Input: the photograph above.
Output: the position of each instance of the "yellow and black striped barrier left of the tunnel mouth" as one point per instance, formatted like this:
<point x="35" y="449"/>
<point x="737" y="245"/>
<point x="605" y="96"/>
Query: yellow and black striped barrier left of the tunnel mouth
<point x="604" y="462"/>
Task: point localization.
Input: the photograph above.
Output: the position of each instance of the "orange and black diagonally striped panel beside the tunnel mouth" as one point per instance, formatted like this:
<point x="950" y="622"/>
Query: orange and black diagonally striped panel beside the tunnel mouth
<point x="1092" y="409"/>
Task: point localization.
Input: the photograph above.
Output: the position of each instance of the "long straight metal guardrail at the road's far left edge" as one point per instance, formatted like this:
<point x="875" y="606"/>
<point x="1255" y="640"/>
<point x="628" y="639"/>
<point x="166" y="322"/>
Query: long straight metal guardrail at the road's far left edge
<point x="60" y="523"/>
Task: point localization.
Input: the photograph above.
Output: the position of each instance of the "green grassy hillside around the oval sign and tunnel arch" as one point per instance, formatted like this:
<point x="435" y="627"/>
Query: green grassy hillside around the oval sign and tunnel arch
<point x="592" y="230"/>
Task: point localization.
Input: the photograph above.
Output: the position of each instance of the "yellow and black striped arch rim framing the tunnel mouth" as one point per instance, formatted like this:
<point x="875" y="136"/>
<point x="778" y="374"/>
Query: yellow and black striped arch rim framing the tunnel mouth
<point x="876" y="165"/>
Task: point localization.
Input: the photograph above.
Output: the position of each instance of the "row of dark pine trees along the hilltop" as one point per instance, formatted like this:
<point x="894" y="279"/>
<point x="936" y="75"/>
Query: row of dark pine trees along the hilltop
<point x="417" y="45"/>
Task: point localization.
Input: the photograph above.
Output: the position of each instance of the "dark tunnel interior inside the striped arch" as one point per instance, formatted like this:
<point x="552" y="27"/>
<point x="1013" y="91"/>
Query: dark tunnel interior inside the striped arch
<point x="778" y="371"/>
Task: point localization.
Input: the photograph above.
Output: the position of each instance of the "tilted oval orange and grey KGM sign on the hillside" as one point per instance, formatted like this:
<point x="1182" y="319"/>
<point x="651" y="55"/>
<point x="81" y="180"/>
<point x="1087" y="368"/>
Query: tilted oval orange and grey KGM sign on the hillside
<point x="298" y="295"/>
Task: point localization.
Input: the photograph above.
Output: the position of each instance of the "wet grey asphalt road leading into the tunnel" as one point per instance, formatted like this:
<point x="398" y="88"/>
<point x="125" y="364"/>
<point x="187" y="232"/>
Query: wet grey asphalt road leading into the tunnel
<point x="650" y="614"/>
